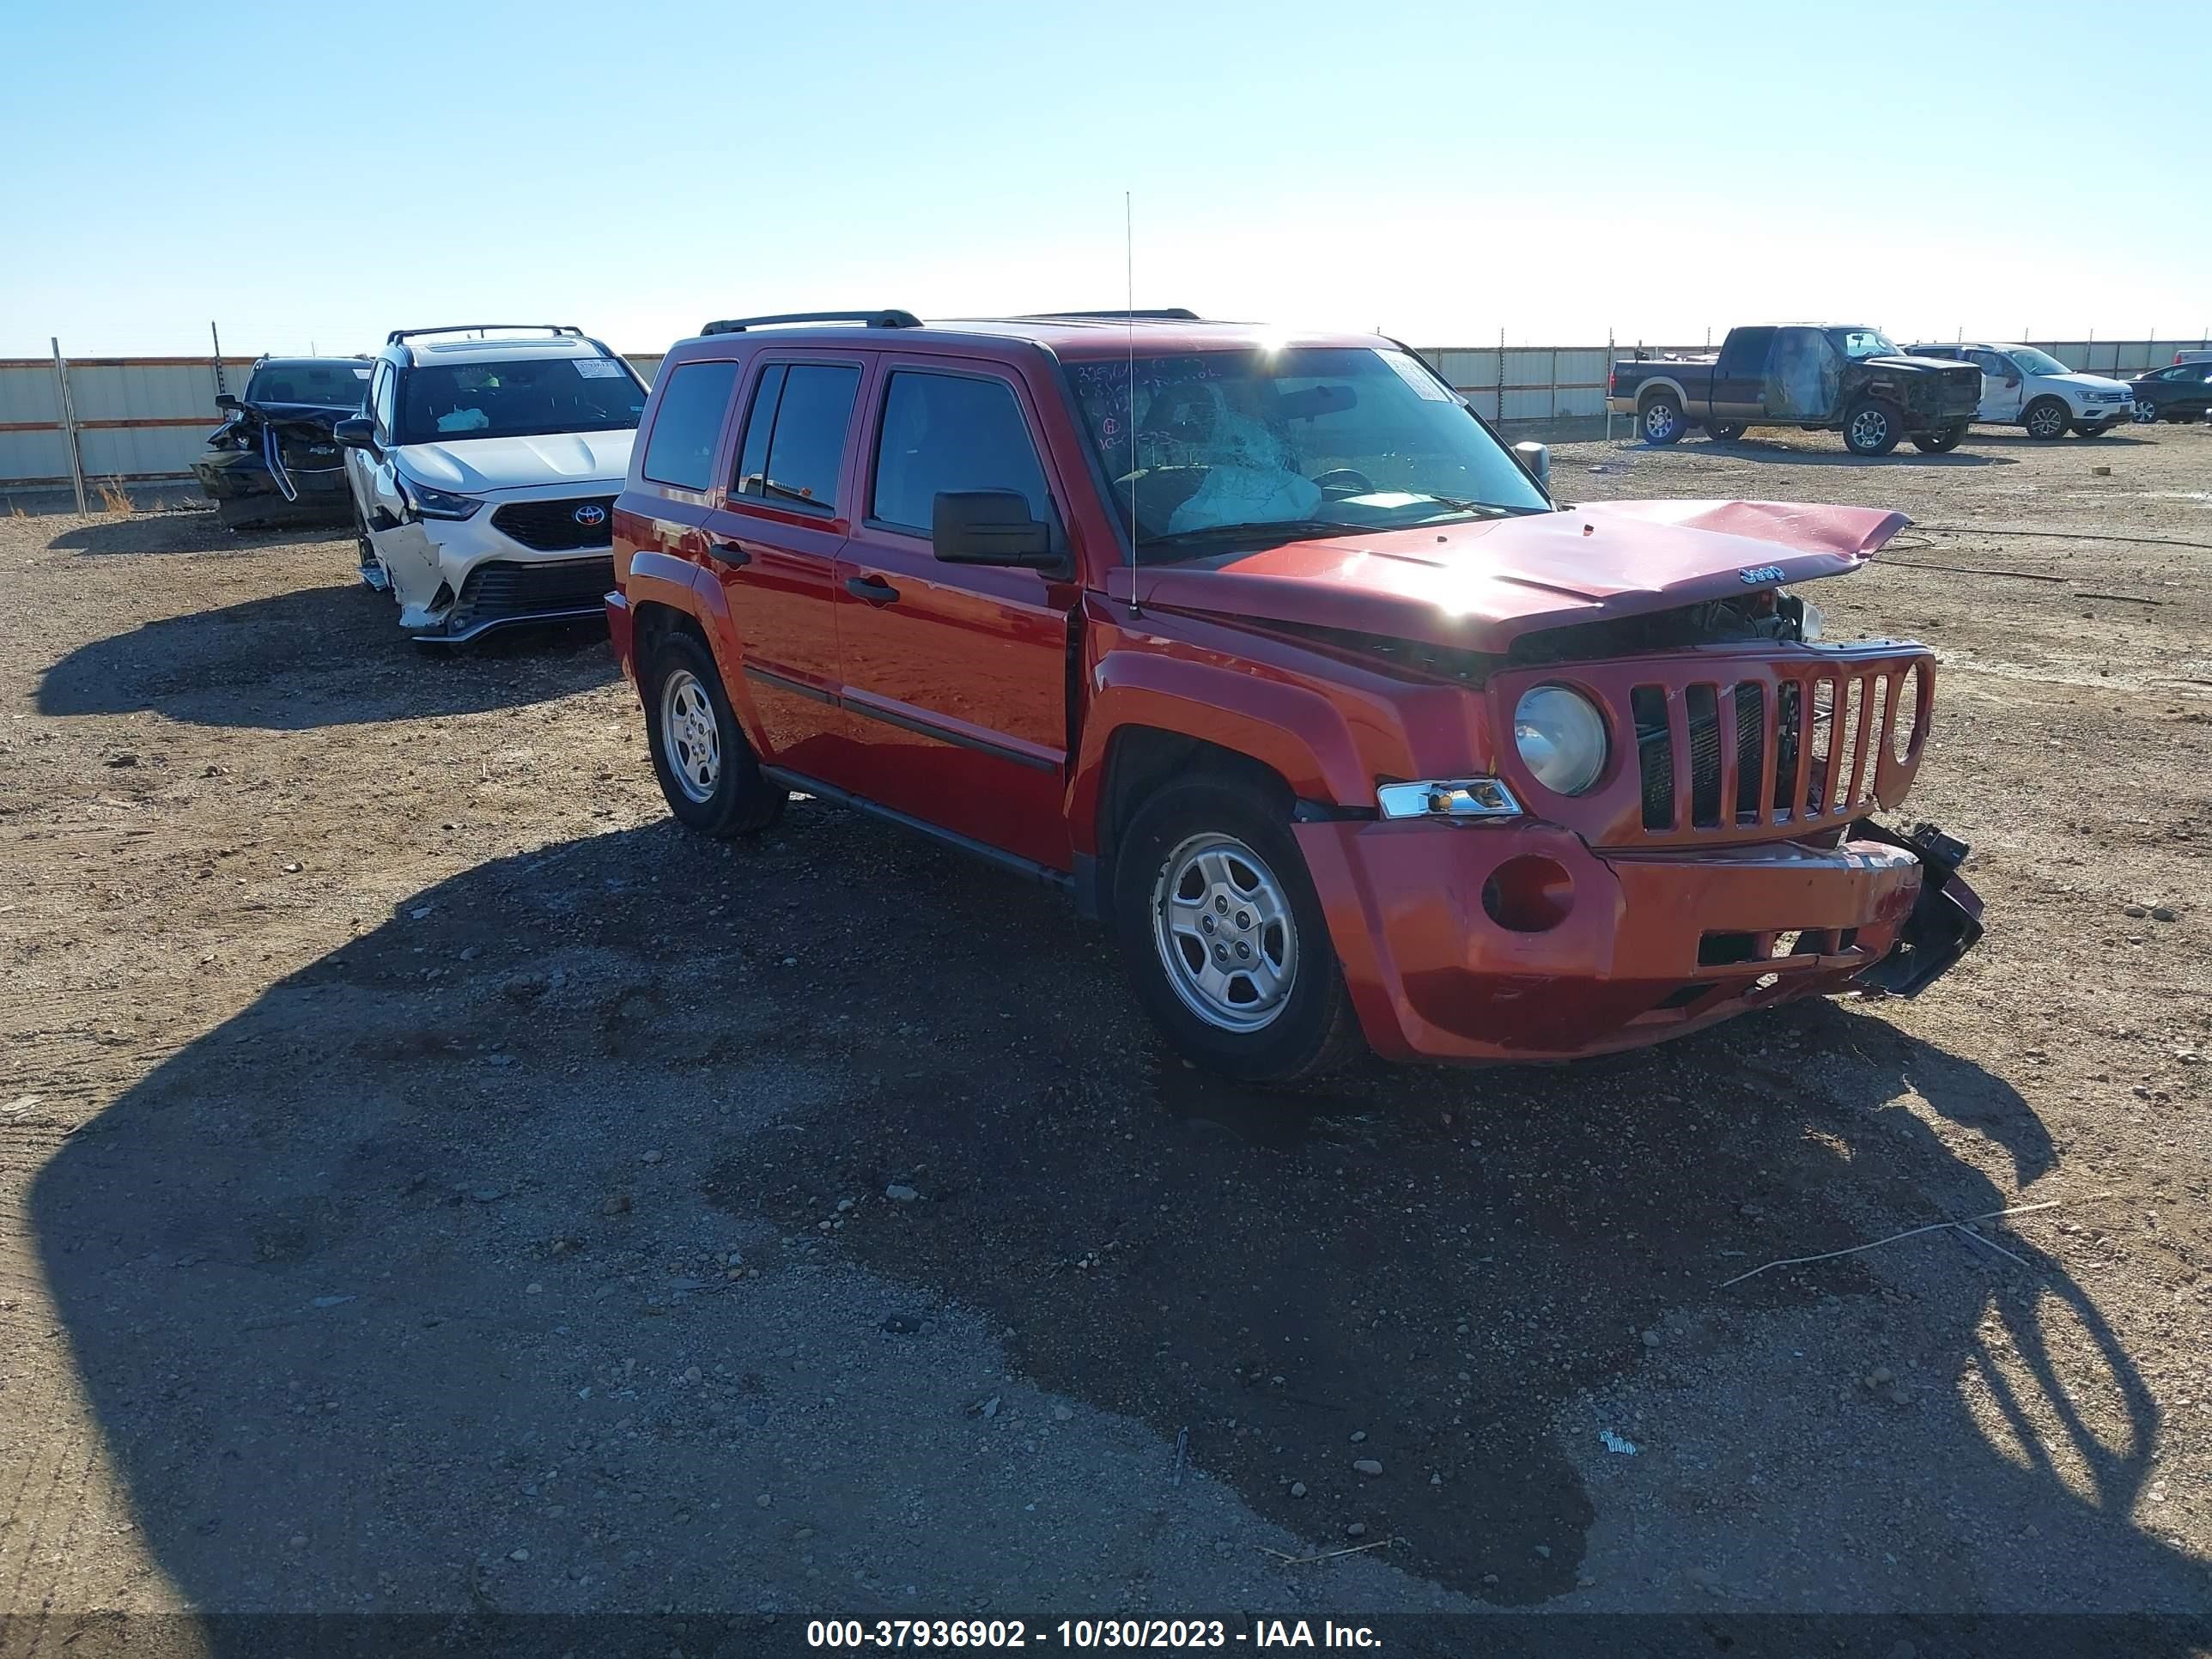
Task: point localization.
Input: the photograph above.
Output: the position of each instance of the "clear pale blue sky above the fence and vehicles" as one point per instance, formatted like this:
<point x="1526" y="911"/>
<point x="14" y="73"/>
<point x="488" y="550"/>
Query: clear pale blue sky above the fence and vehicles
<point x="315" y="174"/>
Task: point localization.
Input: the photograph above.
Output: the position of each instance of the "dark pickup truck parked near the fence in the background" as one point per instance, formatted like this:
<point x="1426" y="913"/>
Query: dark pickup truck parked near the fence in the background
<point x="1815" y="377"/>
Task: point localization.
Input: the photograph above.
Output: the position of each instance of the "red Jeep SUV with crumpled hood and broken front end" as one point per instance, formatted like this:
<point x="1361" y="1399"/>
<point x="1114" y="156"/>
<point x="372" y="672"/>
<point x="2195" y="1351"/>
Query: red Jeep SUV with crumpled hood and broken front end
<point x="1288" y="669"/>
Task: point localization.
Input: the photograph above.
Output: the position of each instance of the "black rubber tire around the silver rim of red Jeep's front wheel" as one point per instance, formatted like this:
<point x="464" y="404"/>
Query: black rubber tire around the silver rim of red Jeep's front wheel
<point x="1313" y="1027"/>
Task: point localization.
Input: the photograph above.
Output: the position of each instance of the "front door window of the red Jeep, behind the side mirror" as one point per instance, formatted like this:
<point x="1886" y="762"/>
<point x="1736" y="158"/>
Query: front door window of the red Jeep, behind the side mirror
<point x="950" y="432"/>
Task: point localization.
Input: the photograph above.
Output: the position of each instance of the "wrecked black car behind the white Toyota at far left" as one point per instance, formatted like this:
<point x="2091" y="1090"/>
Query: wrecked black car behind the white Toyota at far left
<point x="273" y="461"/>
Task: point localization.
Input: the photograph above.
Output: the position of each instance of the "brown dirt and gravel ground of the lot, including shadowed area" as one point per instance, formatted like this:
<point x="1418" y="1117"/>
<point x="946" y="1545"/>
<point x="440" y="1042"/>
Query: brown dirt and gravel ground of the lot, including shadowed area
<point x="435" y="1185"/>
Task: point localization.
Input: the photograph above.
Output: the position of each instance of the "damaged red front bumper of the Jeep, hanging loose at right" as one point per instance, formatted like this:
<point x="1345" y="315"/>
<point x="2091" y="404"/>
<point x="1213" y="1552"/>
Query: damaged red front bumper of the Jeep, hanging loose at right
<point x="1611" y="950"/>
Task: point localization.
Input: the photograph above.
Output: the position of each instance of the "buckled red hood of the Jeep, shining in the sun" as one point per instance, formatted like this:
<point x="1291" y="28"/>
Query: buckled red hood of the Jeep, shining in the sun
<point x="1488" y="583"/>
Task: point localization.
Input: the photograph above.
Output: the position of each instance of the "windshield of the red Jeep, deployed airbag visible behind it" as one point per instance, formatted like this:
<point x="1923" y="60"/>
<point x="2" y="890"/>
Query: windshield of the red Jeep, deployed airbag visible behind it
<point x="1258" y="448"/>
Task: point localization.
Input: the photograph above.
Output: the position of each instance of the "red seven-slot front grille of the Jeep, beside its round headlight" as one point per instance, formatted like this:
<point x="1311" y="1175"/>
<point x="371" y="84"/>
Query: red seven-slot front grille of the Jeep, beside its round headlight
<point x="1813" y="755"/>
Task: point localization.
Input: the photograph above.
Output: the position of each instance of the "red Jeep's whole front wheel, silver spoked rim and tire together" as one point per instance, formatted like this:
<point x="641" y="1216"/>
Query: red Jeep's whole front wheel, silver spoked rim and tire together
<point x="1224" y="937"/>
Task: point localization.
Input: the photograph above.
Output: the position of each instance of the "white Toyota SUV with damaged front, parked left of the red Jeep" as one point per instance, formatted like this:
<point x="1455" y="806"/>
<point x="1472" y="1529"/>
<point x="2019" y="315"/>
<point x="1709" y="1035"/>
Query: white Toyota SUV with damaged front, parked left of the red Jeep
<point x="486" y="474"/>
